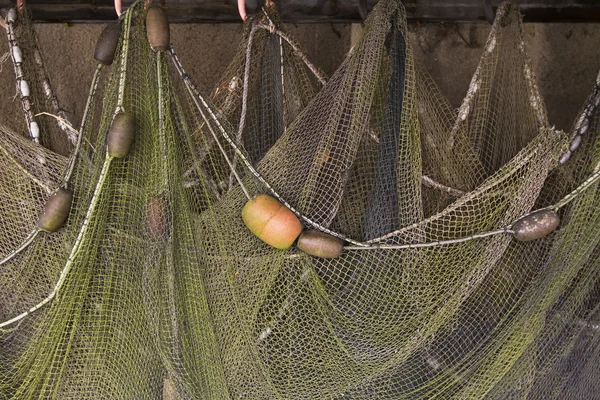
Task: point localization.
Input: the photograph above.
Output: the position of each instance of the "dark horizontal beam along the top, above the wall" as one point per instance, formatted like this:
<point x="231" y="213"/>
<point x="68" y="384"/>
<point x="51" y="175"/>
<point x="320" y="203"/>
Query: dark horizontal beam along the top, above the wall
<point x="311" y="11"/>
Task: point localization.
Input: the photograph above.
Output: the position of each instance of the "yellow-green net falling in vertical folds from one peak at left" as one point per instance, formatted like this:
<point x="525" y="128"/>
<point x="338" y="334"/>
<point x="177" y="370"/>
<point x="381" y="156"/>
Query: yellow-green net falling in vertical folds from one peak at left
<point x="94" y="310"/>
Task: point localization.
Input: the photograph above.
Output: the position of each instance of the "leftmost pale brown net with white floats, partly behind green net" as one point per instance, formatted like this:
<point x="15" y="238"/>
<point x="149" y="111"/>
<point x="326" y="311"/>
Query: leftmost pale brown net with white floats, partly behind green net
<point x="30" y="172"/>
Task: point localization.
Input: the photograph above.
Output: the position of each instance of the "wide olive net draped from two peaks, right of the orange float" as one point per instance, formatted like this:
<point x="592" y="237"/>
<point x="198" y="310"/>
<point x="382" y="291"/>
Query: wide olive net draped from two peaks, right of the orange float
<point x="434" y="296"/>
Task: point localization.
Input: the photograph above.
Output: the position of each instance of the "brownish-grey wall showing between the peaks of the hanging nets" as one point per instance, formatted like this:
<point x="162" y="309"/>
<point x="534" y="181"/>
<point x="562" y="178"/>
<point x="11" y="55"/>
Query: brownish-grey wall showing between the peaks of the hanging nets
<point x="565" y="57"/>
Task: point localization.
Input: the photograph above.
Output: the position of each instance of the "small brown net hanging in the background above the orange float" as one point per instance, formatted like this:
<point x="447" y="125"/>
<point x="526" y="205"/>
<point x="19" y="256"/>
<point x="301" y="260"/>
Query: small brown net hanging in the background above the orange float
<point x="262" y="91"/>
